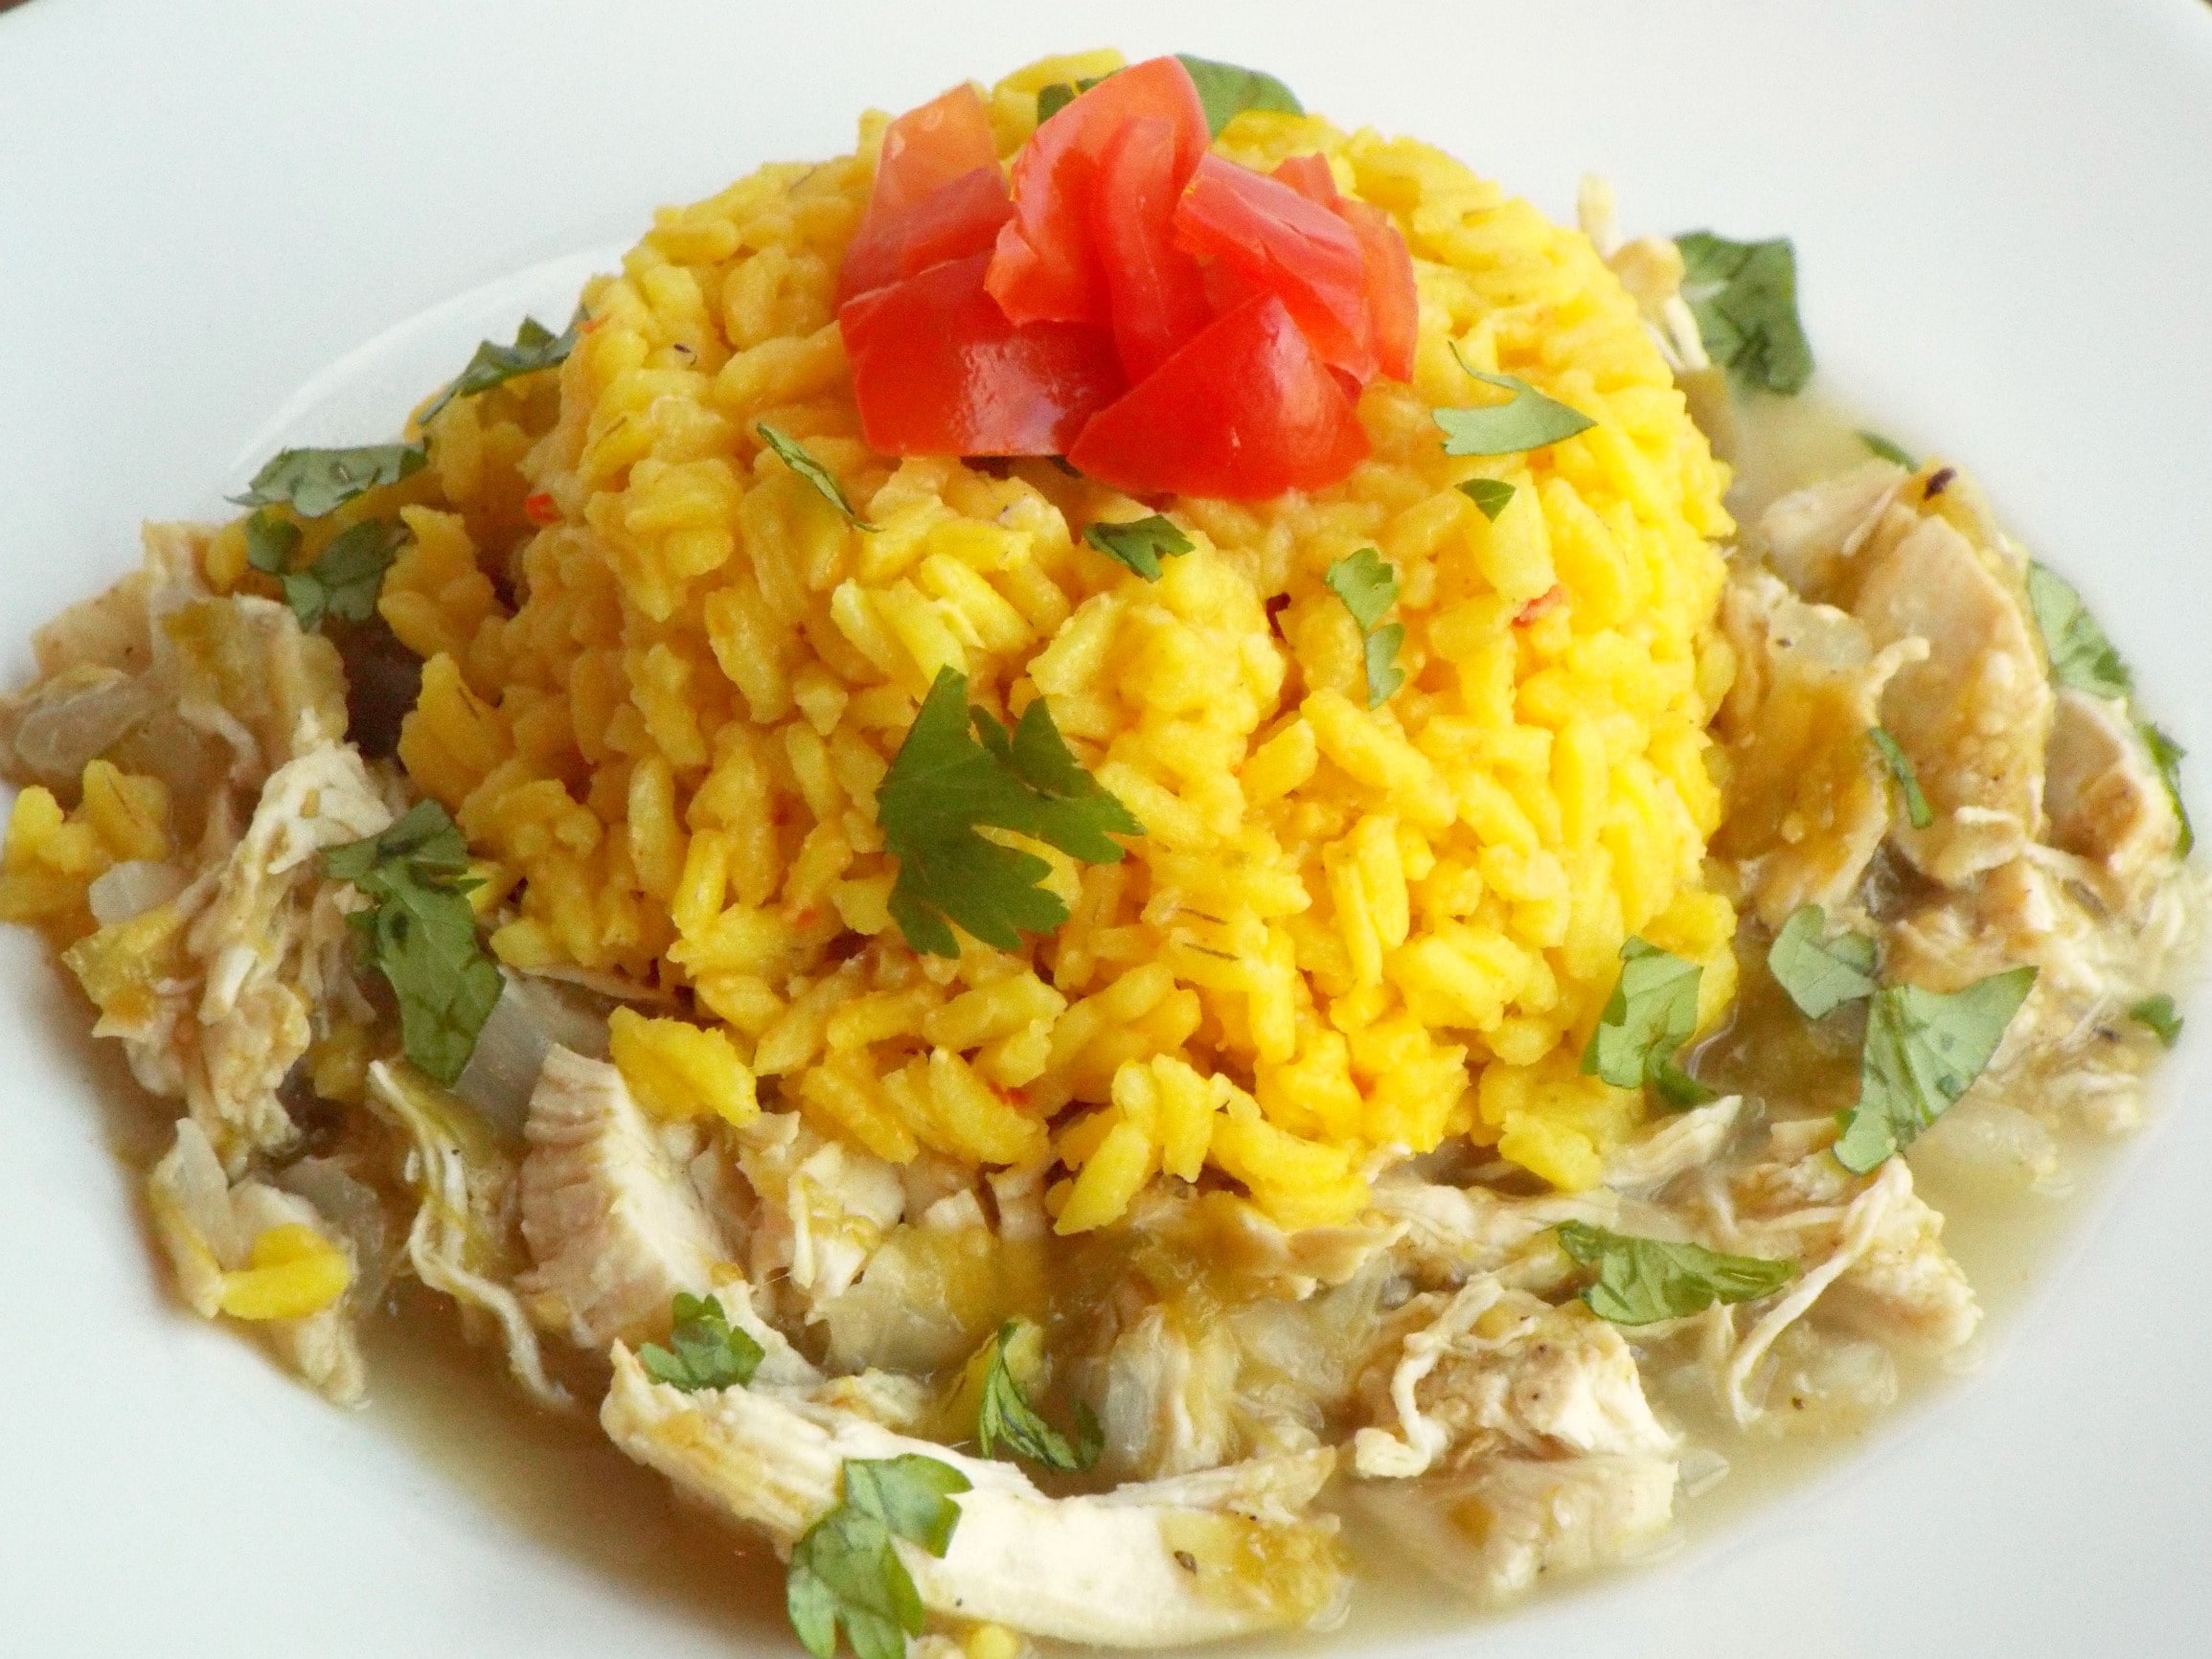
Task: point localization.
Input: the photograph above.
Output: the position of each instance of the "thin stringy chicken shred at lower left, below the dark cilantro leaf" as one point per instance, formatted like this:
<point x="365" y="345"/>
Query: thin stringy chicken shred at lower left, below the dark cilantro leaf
<point x="466" y="1238"/>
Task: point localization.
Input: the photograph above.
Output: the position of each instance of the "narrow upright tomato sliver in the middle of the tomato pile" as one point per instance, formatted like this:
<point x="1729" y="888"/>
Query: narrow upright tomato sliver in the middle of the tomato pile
<point x="1154" y="289"/>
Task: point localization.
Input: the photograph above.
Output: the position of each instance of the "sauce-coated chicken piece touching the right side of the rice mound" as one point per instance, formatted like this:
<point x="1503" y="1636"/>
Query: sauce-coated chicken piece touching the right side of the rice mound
<point x="1808" y="802"/>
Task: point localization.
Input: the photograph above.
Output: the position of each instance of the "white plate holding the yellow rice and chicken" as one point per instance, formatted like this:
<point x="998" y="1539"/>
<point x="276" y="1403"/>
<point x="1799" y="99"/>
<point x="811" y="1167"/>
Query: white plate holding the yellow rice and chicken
<point x="2005" y="220"/>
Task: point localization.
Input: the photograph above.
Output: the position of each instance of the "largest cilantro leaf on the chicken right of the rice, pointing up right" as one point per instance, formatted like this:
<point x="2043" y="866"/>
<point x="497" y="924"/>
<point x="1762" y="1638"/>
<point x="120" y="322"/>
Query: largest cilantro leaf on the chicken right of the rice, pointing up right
<point x="1923" y="1052"/>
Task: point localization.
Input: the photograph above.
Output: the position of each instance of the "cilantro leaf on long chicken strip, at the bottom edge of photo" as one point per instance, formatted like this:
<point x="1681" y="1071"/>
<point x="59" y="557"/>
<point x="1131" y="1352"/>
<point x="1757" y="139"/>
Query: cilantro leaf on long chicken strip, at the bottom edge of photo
<point x="846" y="1567"/>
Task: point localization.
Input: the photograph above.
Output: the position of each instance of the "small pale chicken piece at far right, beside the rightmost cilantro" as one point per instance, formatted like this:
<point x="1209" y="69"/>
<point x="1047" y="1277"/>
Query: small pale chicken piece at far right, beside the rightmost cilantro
<point x="2105" y="795"/>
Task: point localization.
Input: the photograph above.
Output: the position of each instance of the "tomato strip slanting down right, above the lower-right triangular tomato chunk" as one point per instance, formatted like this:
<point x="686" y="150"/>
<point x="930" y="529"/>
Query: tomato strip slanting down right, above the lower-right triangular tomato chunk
<point x="1286" y="244"/>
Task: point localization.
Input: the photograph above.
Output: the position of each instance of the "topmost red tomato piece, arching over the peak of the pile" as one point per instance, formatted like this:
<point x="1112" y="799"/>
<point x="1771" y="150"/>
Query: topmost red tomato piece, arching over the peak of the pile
<point x="1047" y="262"/>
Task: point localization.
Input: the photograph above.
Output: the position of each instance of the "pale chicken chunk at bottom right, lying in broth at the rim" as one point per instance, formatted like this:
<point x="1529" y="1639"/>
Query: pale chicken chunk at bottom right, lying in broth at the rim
<point x="1505" y="1523"/>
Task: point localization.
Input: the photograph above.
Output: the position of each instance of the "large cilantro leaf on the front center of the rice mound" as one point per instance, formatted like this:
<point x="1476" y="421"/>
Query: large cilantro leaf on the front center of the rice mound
<point x="961" y="771"/>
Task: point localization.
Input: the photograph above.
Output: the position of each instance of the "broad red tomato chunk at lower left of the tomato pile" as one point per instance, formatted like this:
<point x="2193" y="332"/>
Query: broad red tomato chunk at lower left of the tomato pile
<point x="939" y="371"/>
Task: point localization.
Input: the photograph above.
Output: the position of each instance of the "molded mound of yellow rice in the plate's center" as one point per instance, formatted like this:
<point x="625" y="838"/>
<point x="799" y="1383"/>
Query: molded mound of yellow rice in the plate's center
<point x="1346" y="932"/>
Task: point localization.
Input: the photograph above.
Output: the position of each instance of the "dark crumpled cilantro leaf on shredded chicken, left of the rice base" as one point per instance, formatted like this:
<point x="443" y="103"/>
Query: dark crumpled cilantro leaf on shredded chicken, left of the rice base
<point x="421" y="935"/>
